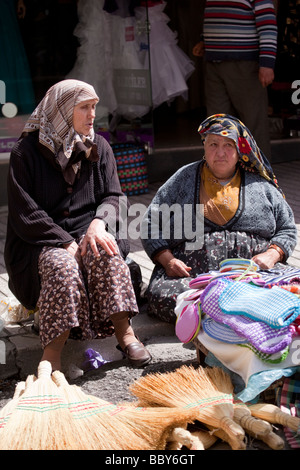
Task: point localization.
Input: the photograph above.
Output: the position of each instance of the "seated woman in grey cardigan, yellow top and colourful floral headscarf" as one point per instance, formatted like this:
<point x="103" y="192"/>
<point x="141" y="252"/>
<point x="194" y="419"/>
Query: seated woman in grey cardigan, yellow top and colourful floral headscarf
<point x="228" y="205"/>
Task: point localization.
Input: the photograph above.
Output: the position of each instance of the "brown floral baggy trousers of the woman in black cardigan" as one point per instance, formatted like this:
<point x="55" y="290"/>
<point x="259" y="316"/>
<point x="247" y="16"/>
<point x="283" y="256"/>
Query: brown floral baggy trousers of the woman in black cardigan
<point x="82" y="298"/>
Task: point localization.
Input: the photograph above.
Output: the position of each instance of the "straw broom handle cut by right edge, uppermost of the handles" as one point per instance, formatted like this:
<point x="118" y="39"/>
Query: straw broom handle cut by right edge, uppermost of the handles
<point x="274" y="415"/>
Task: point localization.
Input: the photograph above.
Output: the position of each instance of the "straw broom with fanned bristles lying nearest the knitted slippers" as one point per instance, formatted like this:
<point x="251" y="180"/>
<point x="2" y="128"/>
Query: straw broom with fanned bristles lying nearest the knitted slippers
<point x="189" y="388"/>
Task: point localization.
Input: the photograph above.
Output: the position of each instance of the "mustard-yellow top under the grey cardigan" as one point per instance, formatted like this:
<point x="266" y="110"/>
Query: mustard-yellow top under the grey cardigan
<point x="220" y="201"/>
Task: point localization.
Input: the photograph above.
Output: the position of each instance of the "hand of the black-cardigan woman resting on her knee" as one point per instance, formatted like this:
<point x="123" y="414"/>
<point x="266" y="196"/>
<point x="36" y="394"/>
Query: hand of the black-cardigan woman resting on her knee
<point x="96" y="233"/>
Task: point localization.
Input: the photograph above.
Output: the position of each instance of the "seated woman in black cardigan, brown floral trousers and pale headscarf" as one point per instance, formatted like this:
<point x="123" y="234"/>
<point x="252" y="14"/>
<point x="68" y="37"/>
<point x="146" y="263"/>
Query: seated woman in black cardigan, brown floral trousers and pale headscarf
<point x="63" y="198"/>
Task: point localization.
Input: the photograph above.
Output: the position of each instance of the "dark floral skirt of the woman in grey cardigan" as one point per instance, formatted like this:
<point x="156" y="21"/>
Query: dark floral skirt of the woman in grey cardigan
<point x="163" y="290"/>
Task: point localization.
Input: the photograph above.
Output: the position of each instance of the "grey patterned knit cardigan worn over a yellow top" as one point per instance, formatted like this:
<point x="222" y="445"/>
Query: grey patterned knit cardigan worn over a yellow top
<point x="262" y="211"/>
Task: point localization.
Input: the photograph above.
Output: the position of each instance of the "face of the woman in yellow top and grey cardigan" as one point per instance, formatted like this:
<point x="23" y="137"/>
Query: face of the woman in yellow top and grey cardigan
<point x="221" y="156"/>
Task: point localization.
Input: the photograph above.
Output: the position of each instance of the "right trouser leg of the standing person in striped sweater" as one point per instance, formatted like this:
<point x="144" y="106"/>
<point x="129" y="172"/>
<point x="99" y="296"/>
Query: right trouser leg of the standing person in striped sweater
<point x="249" y="99"/>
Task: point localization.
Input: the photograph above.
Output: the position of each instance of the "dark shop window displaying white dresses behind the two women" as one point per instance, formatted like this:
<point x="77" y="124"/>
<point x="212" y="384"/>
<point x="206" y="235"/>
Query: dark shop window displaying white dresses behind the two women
<point x="138" y="55"/>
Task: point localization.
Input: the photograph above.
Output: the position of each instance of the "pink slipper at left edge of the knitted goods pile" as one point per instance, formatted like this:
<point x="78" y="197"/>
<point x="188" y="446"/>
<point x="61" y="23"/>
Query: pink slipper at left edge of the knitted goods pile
<point x="188" y="323"/>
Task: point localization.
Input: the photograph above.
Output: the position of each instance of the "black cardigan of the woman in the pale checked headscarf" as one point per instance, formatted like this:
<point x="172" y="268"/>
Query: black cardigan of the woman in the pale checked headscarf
<point x="43" y="209"/>
